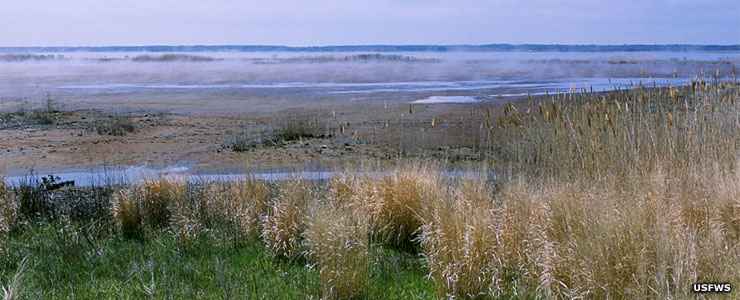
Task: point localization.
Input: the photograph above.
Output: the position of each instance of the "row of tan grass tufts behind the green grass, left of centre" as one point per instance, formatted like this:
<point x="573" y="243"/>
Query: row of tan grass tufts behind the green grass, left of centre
<point x="191" y="207"/>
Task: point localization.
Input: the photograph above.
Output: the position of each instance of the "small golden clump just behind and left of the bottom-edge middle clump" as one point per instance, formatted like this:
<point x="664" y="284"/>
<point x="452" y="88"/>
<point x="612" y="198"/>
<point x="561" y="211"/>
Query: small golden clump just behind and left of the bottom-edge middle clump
<point x="284" y="224"/>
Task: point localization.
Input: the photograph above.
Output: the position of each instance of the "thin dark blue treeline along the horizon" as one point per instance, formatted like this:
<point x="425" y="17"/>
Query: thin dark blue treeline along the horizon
<point x="386" y="48"/>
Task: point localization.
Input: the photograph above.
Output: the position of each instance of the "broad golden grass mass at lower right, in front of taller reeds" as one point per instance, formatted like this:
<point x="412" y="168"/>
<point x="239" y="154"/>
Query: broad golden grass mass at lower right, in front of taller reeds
<point x="580" y="241"/>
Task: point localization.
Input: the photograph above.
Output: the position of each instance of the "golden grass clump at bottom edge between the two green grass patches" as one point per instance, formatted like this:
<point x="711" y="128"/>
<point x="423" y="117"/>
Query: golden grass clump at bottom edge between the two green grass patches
<point x="337" y="241"/>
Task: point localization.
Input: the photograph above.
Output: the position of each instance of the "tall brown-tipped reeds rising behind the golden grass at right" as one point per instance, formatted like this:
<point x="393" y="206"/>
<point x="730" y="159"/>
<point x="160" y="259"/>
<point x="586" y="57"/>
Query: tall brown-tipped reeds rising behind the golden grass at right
<point x="625" y="133"/>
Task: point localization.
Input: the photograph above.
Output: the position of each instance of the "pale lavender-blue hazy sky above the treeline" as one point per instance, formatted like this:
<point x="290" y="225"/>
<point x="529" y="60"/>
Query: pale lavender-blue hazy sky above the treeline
<point x="324" y="22"/>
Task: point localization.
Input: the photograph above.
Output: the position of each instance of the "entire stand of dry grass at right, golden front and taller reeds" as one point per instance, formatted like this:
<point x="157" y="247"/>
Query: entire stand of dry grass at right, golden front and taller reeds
<point x="633" y="195"/>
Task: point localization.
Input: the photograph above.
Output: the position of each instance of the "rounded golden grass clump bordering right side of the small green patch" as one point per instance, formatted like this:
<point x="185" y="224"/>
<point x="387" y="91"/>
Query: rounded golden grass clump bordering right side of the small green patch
<point x="461" y="246"/>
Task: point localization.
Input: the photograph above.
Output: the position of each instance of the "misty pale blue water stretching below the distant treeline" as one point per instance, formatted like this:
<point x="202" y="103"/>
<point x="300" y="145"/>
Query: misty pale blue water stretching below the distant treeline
<point x="87" y="78"/>
